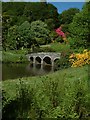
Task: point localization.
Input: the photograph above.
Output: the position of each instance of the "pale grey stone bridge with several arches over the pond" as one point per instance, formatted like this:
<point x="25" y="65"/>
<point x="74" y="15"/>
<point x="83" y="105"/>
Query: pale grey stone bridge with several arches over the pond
<point x="44" y="58"/>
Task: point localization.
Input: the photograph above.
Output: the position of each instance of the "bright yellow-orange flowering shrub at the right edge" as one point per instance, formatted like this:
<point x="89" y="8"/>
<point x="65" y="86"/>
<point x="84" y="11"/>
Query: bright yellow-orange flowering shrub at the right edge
<point x="78" y="59"/>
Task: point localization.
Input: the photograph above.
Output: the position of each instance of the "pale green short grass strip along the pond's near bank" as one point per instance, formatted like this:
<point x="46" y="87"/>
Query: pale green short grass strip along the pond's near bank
<point x="68" y="75"/>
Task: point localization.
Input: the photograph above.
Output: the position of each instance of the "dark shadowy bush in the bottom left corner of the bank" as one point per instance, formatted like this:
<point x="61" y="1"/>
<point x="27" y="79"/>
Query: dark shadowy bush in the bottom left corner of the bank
<point x="19" y="106"/>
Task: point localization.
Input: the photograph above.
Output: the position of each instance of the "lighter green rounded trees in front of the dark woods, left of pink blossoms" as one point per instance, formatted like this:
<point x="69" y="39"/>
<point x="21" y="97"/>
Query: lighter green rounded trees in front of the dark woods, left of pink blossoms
<point x="27" y="34"/>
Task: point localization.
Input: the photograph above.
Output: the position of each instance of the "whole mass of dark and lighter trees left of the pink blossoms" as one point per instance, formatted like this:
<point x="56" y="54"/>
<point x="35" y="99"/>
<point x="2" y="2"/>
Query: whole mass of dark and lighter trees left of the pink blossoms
<point x="17" y="19"/>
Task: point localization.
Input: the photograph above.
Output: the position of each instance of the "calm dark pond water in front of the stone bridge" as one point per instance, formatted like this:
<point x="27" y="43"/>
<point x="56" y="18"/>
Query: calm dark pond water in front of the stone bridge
<point x="12" y="71"/>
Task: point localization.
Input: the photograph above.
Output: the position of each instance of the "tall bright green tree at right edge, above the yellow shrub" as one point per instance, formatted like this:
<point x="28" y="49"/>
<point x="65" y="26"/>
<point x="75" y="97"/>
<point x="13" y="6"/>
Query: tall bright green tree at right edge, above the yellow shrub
<point x="79" y="30"/>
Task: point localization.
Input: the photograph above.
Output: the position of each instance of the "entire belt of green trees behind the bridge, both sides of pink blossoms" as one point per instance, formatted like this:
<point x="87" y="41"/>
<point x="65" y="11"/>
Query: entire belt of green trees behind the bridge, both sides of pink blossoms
<point x="17" y="23"/>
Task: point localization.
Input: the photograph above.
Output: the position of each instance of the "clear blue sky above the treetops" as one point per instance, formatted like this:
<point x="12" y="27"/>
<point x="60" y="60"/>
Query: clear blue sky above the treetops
<point x="61" y="5"/>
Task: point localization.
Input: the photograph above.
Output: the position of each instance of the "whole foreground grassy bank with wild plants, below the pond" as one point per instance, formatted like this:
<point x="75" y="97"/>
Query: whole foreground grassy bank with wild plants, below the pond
<point x="63" y="94"/>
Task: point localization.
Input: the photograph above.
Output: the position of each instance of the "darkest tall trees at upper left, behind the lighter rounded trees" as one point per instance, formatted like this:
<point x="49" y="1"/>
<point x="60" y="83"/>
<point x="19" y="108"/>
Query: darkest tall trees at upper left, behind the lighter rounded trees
<point x="28" y="11"/>
